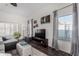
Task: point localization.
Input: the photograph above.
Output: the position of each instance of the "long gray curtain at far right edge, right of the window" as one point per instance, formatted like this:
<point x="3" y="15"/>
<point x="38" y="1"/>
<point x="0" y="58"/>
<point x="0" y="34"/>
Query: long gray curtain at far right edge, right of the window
<point x="75" y="39"/>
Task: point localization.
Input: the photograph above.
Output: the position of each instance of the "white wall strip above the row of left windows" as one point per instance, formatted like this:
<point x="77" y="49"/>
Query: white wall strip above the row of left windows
<point x="9" y="17"/>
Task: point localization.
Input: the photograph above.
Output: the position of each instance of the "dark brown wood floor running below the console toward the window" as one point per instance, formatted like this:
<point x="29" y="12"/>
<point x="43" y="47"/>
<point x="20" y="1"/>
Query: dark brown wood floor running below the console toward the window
<point x="48" y="50"/>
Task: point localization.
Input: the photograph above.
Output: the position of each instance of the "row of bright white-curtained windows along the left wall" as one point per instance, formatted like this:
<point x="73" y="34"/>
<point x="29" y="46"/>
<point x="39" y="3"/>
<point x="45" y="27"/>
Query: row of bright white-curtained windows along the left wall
<point x="9" y="28"/>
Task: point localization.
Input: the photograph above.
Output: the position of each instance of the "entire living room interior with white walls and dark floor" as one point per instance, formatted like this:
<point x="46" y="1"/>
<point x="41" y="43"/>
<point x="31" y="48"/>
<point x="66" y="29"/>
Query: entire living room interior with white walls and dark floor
<point x="38" y="29"/>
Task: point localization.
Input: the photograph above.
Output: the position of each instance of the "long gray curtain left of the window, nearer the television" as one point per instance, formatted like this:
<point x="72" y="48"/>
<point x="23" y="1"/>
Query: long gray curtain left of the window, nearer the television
<point x="55" y="26"/>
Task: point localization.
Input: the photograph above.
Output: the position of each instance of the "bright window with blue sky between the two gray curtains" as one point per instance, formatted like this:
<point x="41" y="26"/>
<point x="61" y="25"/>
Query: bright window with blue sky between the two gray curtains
<point x="65" y="27"/>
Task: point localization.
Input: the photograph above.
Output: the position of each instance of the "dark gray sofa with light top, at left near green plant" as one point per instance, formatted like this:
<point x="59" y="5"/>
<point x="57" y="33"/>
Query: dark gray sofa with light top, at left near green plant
<point x="9" y="42"/>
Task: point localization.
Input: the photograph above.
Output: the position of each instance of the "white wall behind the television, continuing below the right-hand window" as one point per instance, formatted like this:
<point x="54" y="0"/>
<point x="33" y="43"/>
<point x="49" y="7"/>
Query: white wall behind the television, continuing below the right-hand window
<point x="64" y="46"/>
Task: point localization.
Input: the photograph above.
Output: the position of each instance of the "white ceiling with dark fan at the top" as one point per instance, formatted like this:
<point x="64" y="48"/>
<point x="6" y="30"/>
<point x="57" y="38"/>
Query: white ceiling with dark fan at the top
<point x="27" y="8"/>
